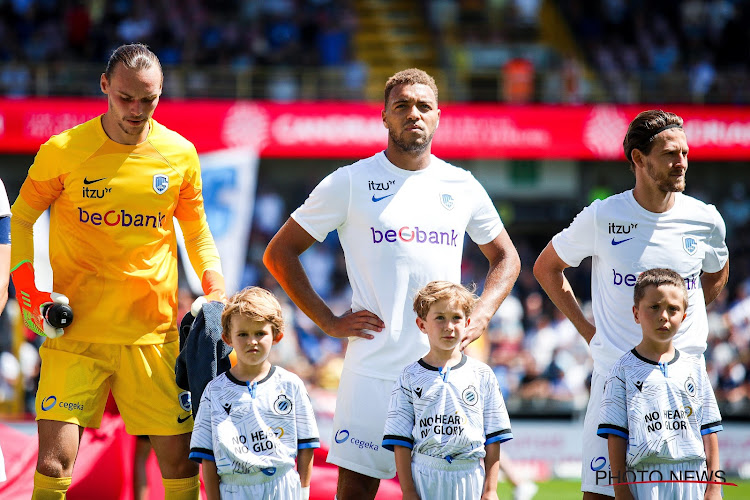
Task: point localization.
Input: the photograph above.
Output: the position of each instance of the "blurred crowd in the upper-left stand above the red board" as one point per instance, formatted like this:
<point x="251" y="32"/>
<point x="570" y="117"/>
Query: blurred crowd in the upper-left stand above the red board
<point x="275" y="35"/>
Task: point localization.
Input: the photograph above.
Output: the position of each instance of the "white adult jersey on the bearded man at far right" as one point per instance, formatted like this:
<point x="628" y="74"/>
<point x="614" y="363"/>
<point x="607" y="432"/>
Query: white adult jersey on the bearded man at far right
<point x="624" y="239"/>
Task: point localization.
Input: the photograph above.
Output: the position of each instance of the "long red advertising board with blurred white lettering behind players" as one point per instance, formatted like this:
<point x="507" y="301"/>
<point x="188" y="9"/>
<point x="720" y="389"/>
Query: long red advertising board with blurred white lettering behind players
<point x="352" y="130"/>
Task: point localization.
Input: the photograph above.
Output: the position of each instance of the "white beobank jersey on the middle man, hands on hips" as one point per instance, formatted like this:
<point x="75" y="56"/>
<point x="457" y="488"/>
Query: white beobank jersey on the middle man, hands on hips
<point x="399" y="230"/>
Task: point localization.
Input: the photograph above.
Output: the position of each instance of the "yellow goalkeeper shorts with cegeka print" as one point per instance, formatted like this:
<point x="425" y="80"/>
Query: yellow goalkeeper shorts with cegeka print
<point x="76" y="378"/>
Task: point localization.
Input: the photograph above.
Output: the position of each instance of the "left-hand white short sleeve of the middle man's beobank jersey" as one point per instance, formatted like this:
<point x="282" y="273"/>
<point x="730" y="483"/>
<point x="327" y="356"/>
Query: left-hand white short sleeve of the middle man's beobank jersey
<point x="327" y="207"/>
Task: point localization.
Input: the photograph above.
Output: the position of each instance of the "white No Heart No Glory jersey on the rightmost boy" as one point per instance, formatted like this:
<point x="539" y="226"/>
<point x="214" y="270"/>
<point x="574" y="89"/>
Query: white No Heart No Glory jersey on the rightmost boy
<point x="662" y="409"/>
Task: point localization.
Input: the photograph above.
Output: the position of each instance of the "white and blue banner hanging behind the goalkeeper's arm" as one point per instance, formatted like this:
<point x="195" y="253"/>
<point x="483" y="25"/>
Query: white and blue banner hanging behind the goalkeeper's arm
<point x="229" y="179"/>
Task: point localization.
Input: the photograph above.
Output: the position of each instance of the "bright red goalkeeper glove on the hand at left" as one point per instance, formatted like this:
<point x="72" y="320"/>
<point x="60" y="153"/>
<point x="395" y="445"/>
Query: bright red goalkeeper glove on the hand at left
<point x="33" y="302"/>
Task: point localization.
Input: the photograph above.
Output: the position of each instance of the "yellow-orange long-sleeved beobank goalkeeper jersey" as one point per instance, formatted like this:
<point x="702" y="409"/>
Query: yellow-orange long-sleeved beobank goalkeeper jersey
<point x="113" y="249"/>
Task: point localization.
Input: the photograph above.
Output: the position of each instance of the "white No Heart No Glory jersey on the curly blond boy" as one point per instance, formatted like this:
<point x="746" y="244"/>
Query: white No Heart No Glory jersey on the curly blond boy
<point x="249" y="428"/>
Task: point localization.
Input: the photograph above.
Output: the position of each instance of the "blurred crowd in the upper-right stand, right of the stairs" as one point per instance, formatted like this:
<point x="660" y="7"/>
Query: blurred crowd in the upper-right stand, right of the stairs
<point x="666" y="51"/>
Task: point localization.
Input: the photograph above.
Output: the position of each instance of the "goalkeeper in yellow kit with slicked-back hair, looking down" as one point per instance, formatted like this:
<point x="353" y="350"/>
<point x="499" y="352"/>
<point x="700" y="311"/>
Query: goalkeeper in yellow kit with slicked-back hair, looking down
<point x="113" y="185"/>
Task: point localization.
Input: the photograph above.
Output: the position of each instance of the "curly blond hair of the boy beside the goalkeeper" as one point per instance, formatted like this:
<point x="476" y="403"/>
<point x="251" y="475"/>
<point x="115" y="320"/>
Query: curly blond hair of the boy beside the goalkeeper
<point x="255" y="303"/>
